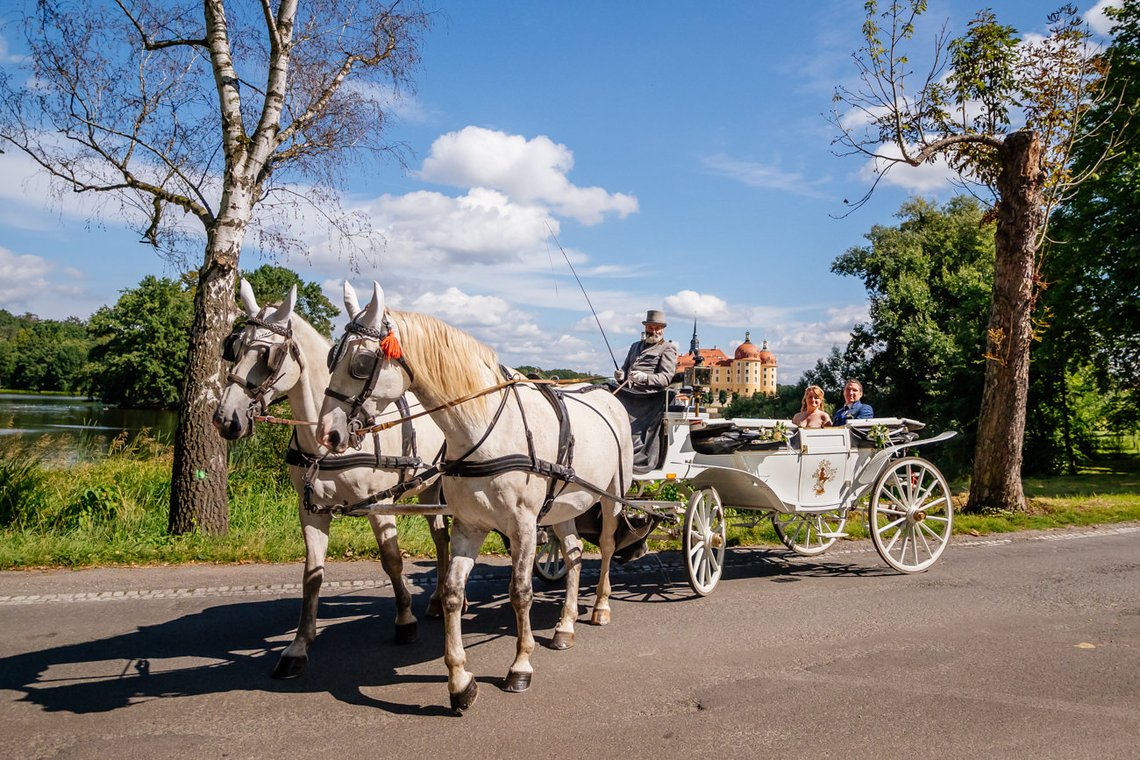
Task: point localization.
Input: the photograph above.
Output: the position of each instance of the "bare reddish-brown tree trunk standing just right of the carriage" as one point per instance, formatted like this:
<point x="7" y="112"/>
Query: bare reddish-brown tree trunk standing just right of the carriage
<point x="997" y="481"/>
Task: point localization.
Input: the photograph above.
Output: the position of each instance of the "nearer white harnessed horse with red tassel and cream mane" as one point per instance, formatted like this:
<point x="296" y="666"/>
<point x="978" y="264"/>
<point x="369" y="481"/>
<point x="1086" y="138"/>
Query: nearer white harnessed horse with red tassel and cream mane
<point x="491" y="478"/>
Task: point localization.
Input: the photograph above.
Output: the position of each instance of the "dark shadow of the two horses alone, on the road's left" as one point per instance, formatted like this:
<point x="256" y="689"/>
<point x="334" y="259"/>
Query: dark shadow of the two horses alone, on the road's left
<point x="233" y="648"/>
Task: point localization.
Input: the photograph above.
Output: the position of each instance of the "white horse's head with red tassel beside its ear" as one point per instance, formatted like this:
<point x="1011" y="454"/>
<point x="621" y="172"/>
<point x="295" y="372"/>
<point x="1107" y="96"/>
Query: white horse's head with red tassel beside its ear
<point x="368" y="372"/>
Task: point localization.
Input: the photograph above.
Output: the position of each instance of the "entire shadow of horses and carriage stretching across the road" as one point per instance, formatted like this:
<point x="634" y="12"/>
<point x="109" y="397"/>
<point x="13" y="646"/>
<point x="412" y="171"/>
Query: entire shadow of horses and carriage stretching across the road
<point x="233" y="648"/>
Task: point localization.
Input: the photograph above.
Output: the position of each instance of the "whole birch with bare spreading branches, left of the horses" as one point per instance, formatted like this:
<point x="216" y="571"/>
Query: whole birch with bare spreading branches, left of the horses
<point x="198" y="120"/>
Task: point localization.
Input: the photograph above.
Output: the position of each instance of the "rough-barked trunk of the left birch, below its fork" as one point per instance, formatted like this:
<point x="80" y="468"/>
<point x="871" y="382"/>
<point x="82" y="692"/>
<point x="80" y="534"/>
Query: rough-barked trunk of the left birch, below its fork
<point x="198" y="488"/>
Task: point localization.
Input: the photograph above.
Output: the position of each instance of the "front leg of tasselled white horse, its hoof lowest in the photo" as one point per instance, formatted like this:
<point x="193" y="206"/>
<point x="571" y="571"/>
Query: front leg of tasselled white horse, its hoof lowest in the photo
<point x="466" y="546"/>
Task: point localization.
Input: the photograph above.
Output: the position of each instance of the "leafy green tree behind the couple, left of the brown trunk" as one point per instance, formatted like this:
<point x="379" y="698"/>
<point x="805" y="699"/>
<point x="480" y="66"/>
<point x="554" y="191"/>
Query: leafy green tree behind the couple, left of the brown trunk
<point x="930" y="281"/>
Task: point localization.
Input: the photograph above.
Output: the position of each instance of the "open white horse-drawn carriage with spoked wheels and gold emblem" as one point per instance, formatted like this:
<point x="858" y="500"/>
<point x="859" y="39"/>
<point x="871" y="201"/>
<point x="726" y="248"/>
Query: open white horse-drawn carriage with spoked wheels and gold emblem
<point x="807" y="481"/>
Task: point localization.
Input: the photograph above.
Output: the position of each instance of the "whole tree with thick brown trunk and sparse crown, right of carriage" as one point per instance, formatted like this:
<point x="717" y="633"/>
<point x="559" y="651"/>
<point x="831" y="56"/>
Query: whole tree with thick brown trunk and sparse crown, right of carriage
<point x="1006" y="116"/>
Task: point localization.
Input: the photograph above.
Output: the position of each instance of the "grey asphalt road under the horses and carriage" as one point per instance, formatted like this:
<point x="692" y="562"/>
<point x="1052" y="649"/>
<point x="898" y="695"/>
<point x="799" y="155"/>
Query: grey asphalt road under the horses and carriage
<point x="1027" y="647"/>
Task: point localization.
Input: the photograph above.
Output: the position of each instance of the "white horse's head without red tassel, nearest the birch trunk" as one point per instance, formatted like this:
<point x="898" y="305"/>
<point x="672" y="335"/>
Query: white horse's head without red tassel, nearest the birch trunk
<point x="265" y="364"/>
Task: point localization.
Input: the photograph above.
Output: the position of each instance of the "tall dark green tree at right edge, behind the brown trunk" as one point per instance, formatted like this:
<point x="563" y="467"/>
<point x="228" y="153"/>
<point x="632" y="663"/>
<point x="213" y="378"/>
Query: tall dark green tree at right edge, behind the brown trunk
<point x="1090" y="325"/>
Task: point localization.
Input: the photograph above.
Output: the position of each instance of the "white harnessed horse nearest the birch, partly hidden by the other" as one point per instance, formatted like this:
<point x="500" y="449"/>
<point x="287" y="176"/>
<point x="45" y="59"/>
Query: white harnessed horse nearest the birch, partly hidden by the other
<point x="280" y="354"/>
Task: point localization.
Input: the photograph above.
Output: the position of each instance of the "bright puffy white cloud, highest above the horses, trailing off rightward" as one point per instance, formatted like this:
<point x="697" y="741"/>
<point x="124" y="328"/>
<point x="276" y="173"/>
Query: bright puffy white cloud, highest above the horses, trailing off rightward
<point x="528" y="171"/>
